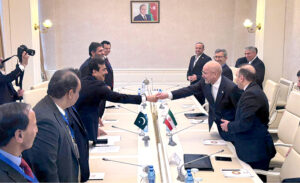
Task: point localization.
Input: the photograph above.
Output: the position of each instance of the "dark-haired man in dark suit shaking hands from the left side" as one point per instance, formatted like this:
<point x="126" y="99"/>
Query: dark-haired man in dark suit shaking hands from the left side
<point x="93" y="91"/>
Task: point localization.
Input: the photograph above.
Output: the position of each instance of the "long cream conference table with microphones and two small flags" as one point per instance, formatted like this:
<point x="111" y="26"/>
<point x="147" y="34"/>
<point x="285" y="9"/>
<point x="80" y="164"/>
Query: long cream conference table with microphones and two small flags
<point x="127" y="147"/>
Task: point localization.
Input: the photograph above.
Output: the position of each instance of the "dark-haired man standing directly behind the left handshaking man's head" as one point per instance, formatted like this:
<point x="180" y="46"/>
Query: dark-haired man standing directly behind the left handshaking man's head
<point x="95" y="50"/>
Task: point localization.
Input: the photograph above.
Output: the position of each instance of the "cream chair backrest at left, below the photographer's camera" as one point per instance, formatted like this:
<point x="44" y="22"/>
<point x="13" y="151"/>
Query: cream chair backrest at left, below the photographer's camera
<point x="32" y="97"/>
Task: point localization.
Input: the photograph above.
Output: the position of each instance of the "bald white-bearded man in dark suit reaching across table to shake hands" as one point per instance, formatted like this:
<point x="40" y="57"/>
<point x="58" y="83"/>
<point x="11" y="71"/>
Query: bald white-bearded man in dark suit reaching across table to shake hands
<point x="221" y="93"/>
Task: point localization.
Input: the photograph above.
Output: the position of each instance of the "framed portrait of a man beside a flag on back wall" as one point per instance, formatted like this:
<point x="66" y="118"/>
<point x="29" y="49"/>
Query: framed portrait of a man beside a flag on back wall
<point x="144" y="11"/>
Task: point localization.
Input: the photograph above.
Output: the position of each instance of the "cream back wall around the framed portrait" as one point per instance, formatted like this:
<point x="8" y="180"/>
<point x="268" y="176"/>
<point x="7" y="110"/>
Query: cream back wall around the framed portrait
<point x="168" y="44"/>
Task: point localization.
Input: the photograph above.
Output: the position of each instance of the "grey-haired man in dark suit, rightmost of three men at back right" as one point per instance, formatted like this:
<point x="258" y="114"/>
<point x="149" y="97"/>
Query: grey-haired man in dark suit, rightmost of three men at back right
<point x="252" y="58"/>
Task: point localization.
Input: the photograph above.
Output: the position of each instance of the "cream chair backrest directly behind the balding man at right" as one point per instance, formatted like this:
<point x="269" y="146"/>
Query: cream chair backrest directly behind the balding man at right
<point x="271" y="90"/>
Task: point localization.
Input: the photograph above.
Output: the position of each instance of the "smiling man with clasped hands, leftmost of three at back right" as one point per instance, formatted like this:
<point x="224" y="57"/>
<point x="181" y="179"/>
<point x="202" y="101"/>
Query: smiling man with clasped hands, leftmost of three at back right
<point x="194" y="73"/>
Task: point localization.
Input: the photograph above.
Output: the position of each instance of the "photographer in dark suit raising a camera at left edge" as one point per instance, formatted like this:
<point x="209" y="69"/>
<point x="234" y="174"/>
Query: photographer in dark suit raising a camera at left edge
<point x="7" y="91"/>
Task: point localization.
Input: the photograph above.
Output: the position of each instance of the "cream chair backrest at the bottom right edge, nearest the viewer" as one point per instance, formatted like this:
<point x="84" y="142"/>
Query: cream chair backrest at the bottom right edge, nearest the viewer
<point x="291" y="164"/>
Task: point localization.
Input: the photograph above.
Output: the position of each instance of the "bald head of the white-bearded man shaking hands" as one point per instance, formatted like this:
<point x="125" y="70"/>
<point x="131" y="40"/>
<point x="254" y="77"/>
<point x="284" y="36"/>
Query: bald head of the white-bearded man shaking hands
<point x="212" y="71"/>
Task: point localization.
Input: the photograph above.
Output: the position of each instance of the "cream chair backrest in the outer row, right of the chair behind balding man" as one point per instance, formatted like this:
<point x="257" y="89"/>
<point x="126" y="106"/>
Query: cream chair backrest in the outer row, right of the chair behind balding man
<point x="286" y="87"/>
